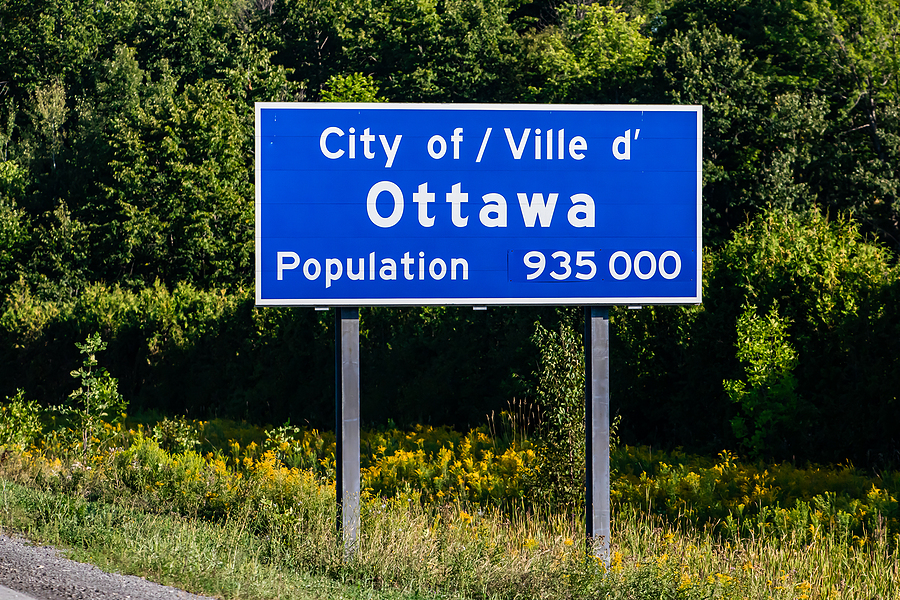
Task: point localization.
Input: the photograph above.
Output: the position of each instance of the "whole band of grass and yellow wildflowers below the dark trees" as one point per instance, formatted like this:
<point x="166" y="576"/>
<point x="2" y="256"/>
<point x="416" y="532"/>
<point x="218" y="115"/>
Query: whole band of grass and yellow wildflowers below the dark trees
<point x="227" y="508"/>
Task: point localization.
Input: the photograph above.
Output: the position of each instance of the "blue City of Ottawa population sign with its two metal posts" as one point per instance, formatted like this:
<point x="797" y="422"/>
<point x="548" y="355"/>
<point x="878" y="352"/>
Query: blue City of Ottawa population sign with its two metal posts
<point x="478" y="205"/>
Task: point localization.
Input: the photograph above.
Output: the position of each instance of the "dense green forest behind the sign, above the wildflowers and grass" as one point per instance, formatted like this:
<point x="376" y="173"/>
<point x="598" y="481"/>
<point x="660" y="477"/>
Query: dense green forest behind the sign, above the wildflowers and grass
<point x="127" y="207"/>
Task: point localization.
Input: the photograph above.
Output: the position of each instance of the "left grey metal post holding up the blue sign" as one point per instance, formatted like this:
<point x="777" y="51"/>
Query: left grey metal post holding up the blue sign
<point x="346" y="352"/>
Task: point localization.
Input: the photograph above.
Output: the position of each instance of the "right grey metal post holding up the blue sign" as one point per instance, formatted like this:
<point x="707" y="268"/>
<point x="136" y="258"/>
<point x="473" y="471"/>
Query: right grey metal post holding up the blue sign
<point x="596" y="430"/>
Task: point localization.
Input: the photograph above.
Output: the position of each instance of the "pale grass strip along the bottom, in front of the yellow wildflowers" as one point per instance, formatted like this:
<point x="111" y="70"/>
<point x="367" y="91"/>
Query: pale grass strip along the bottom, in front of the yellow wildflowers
<point x="411" y="550"/>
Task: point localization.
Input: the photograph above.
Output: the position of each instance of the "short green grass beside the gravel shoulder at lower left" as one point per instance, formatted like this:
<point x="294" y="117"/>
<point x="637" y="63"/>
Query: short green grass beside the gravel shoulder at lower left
<point x="223" y="560"/>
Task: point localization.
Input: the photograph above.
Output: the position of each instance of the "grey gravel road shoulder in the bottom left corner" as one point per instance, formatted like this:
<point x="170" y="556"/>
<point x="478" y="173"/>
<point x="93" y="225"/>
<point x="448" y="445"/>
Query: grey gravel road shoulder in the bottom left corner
<point x="44" y="573"/>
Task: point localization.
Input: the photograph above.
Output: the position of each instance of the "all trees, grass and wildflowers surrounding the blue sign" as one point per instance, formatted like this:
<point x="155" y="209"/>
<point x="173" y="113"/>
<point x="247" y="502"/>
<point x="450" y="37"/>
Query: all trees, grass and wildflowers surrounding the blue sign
<point x="756" y="452"/>
